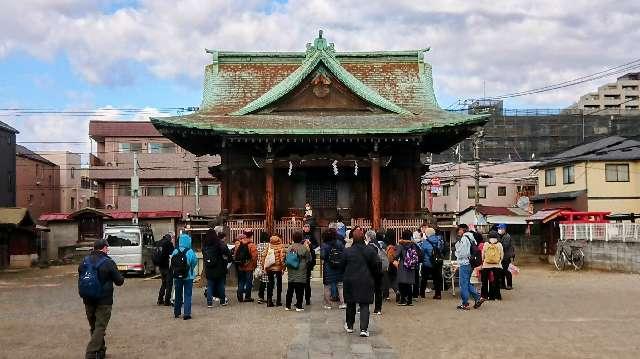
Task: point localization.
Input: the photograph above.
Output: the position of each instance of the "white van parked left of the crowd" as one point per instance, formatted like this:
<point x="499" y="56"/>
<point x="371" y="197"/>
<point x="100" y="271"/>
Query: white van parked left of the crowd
<point x="131" y="247"/>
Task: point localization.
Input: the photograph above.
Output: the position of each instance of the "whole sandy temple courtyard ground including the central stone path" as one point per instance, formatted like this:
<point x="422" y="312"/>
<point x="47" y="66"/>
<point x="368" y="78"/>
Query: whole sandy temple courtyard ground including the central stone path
<point x="549" y="315"/>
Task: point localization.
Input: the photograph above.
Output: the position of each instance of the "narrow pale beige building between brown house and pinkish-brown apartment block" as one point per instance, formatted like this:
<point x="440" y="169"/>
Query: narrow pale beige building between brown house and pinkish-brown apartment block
<point x="77" y="191"/>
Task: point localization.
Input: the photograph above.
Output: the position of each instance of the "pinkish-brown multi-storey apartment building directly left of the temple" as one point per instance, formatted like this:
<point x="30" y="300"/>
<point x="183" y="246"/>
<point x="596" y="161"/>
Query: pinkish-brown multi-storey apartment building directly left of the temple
<point x="166" y="171"/>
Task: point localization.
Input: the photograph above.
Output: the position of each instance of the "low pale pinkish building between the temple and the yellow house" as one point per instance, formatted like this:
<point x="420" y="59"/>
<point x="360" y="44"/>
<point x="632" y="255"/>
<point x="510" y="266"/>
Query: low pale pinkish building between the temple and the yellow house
<point x="501" y="185"/>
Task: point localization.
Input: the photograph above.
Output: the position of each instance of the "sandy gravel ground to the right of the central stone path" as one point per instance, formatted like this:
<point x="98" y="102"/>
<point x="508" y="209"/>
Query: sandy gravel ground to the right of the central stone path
<point x="549" y="314"/>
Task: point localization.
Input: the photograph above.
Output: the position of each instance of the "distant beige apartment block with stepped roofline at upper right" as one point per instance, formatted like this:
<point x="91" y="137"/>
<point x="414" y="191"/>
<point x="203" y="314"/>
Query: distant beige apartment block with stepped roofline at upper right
<point x="620" y="96"/>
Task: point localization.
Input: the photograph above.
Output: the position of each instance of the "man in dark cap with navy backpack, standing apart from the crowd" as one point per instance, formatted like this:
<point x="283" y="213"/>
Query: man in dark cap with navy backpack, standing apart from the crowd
<point x="96" y="276"/>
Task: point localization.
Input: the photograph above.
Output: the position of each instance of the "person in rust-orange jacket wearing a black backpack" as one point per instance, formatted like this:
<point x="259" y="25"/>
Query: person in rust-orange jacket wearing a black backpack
<point x="246" y="258"/>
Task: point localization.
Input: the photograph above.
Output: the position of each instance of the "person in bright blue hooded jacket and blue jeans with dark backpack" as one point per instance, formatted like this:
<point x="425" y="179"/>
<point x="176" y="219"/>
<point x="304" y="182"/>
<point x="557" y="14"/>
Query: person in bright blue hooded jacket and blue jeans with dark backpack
<point x="183" y="264"/>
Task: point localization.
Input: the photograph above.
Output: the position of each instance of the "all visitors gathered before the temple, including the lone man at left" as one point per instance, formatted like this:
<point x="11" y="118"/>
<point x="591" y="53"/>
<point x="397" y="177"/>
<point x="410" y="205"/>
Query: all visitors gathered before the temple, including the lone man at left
<point x="359" y="268"/>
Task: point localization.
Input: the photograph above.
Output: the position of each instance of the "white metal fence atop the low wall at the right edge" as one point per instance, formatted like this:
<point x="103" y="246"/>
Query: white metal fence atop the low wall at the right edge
<point x="614" y="232"/>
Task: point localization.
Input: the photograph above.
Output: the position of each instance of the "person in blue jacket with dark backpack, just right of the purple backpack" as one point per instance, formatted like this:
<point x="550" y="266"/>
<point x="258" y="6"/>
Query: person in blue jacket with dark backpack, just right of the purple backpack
<point x="433" y="247"/>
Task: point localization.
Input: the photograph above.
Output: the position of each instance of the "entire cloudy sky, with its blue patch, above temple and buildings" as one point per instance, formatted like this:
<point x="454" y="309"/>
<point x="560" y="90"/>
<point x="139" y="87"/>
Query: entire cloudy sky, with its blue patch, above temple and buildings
<point x="76" y="54"/>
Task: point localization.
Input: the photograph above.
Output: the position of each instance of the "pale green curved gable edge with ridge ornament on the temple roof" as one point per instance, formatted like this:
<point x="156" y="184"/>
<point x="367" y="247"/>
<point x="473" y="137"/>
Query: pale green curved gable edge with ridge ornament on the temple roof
<point x="320" y="52"/>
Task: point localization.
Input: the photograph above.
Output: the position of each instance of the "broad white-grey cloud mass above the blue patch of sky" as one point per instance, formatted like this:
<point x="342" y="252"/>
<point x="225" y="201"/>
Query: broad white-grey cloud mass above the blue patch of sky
<point x="509" y="45"/>
